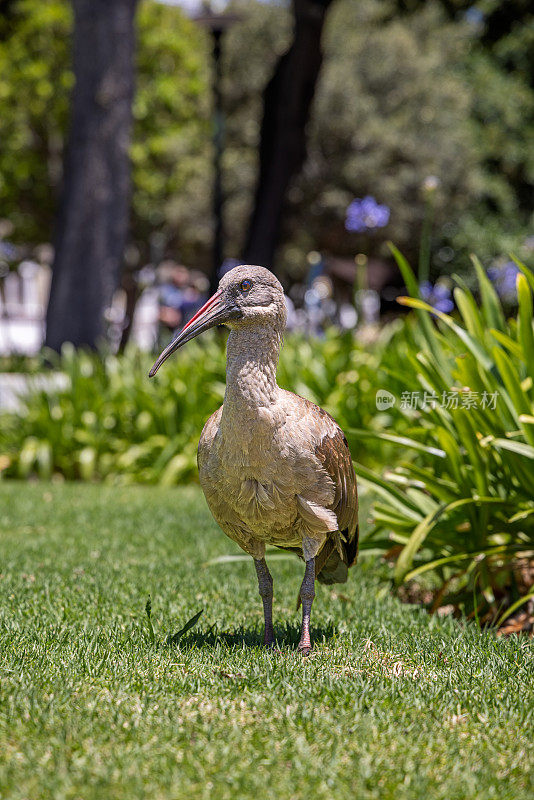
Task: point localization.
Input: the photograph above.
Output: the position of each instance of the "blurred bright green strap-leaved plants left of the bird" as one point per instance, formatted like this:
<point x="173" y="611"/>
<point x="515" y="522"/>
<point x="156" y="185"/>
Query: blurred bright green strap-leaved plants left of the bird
<point x="108" y="419"/>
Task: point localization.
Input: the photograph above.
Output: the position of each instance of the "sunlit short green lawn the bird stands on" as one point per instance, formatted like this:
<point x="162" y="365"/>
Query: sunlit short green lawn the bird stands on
<point x="391" y="704"/>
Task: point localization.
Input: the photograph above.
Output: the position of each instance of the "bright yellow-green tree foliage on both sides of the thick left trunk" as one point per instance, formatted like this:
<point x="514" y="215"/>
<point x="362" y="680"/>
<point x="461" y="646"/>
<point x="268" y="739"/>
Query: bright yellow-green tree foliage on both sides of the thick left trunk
<point x="171" y="138"/>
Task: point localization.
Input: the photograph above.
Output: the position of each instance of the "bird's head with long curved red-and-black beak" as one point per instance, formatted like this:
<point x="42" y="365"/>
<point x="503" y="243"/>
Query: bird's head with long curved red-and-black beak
<point x="247" y="295"/>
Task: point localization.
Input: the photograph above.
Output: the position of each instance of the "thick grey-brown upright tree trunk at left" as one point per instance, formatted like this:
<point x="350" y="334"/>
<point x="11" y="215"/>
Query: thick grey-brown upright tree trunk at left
<point x="94" y="207"/>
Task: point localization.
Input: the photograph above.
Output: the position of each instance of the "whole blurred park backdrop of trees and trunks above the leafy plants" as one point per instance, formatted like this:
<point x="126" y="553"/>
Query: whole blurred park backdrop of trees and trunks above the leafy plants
<point x="148" y="146"/>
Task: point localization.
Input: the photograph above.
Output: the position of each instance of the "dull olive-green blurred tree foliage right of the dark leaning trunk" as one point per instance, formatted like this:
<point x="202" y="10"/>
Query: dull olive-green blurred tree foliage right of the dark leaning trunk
<point x="392" y="109"/>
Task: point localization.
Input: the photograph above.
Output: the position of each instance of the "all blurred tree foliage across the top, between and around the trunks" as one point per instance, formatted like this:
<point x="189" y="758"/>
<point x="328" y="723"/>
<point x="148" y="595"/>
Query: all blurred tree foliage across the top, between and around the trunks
<point x="399" y="98"/>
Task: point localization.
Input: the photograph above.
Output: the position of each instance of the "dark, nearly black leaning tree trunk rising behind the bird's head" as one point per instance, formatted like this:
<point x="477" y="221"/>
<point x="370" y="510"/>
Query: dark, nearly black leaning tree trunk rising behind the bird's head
<point x="286" y="109"/>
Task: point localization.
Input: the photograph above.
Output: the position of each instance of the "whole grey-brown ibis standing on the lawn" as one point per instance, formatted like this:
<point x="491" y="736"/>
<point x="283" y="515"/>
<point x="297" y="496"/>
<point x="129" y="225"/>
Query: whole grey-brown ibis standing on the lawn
<point x="275" y="468"/>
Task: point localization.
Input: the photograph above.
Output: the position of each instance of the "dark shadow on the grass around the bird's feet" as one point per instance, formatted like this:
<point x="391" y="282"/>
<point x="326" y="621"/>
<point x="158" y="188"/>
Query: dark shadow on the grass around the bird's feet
<point x="287" y="637"/>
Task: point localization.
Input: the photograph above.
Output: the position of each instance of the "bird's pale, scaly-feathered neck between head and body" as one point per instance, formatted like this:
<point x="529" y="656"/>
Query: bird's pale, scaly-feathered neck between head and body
<point x="251" y="362"/>
